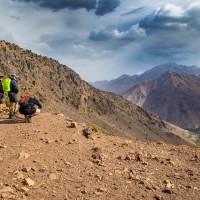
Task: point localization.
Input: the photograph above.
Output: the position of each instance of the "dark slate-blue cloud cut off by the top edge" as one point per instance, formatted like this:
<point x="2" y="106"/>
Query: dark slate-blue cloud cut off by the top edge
<point x="101" y="7"/>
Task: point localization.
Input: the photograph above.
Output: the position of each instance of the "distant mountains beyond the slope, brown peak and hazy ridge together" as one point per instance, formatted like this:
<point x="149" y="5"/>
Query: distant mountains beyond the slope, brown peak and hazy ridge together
<point x="171" y="91"/>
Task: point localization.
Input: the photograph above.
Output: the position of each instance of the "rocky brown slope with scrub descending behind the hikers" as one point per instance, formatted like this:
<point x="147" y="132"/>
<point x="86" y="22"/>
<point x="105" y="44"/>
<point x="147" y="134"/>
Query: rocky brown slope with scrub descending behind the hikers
<point x="60" y="89"/>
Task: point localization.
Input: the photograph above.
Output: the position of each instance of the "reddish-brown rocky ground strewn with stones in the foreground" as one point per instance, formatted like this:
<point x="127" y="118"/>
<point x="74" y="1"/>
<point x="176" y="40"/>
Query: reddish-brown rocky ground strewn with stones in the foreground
<point x="51" y="159"/>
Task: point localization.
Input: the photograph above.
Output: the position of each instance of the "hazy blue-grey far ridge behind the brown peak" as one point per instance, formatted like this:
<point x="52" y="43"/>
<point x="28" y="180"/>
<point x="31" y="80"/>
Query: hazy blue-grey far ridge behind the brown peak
<point x="125" y="82"/>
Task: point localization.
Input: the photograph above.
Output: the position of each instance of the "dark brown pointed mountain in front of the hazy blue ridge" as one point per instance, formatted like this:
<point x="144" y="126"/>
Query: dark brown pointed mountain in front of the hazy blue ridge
<point x="172" y="96"/>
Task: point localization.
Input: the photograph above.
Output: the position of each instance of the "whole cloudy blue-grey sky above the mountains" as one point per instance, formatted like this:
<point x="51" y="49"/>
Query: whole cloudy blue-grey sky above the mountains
<point x="104" y="39"/>
